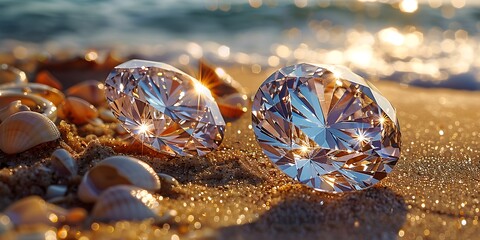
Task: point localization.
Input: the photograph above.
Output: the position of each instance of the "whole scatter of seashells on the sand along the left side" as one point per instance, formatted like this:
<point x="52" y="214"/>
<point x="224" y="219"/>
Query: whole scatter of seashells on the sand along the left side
<point x="117" y="188"/>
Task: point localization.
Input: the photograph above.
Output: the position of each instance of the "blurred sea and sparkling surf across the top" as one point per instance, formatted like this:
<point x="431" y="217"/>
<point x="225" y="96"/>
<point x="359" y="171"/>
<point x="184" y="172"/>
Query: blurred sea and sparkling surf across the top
<point x="428" y="43"/>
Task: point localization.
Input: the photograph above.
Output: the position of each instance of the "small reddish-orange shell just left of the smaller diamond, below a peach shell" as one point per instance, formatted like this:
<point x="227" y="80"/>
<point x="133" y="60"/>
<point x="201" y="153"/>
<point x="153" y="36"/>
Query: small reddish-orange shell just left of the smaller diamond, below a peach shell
<point x="77" y="111"/>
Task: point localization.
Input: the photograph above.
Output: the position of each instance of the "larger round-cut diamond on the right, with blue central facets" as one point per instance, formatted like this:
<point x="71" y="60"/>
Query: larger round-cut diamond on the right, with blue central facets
<point x="326" y="127"/>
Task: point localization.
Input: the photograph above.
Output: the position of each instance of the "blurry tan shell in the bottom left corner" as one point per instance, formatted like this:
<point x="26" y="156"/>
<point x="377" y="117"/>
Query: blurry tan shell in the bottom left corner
<point x="34" y="210"/>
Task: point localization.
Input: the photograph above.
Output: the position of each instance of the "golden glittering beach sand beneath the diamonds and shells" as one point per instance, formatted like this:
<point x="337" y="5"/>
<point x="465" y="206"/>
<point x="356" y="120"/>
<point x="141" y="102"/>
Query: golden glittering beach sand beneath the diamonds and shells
<point x="237" y="193"/>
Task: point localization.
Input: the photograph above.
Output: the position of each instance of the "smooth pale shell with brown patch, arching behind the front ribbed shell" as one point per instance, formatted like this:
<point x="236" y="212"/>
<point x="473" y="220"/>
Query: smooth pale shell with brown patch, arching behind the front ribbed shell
<point x="117" y="170"/>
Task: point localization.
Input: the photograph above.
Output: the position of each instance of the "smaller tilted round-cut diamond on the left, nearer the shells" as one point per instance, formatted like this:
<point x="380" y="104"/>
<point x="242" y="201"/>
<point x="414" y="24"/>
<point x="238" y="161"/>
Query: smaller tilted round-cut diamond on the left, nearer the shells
<point x="164" y="108"/>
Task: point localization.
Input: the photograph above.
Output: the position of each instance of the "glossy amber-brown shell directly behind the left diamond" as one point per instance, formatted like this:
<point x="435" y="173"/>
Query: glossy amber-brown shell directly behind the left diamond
<point x="228" y="93"/>
